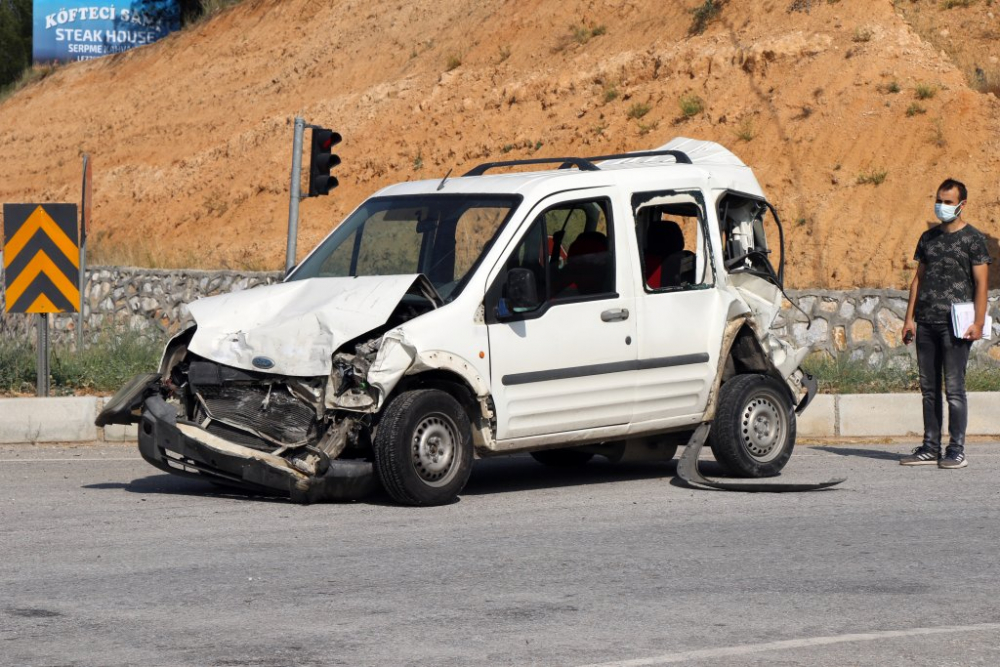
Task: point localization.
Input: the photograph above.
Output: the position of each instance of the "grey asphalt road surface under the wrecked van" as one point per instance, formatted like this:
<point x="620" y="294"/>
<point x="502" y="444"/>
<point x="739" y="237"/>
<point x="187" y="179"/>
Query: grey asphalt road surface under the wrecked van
<point x="106" y="561"/>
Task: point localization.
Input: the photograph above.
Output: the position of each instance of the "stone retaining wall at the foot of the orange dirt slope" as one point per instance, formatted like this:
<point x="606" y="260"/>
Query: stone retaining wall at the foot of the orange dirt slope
<point x="865" y="324"/>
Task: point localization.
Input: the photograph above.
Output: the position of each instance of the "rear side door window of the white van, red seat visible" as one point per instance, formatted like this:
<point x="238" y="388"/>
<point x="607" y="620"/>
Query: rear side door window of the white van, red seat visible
<point x="673" y="244"/>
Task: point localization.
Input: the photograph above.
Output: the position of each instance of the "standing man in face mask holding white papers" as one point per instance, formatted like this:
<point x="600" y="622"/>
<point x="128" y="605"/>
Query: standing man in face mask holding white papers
<point x="953" y="268"/>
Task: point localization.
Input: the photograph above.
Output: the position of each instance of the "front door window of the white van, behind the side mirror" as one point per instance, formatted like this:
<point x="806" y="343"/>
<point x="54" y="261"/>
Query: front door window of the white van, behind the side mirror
<point x="569" y="250"/>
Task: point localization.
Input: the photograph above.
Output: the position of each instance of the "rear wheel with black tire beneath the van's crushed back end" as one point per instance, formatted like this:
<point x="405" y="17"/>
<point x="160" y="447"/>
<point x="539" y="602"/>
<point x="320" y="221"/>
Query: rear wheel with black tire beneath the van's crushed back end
<point x="753" y="433"/>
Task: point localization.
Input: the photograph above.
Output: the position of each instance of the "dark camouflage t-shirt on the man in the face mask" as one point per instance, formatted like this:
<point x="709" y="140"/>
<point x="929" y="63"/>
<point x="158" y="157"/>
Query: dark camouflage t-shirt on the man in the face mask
<point x="948" y="260"/>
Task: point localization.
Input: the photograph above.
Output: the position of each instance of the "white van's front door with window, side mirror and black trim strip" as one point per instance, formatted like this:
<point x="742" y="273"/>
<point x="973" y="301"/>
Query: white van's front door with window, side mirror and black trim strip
<point x="563" y="364"/>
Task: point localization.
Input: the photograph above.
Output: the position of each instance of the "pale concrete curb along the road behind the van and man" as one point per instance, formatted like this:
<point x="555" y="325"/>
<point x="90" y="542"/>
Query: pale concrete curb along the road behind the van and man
<point x="71" y="419"/>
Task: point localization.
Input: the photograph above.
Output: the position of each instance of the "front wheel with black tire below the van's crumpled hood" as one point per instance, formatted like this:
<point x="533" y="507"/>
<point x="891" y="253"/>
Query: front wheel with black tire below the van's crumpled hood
<point x="423" y="448"/>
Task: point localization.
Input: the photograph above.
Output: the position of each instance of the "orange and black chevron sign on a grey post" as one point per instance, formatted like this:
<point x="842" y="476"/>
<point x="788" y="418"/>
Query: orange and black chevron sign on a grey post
<point x="41" y="258"/>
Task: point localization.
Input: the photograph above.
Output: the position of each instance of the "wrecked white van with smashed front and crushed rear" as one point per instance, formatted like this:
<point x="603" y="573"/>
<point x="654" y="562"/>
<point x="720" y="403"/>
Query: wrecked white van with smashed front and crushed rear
<point x="566" y="307"/>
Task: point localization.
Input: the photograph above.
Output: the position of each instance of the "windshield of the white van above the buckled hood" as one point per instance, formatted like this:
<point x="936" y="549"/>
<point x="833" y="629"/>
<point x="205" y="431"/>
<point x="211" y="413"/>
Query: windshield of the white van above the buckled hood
<point x="440" y="236"/>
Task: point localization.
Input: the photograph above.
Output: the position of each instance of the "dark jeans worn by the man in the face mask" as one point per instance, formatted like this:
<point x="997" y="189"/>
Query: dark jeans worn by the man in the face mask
<point x="937" y="350"/>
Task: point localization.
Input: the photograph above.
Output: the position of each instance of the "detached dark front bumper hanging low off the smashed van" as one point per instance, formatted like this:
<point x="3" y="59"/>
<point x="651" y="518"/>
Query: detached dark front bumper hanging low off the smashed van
<point x="184" y="449"/>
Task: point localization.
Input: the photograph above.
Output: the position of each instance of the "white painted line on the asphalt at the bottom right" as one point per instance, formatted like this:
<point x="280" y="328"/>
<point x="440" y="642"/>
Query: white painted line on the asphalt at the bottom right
<point x="729" y="651"/>
